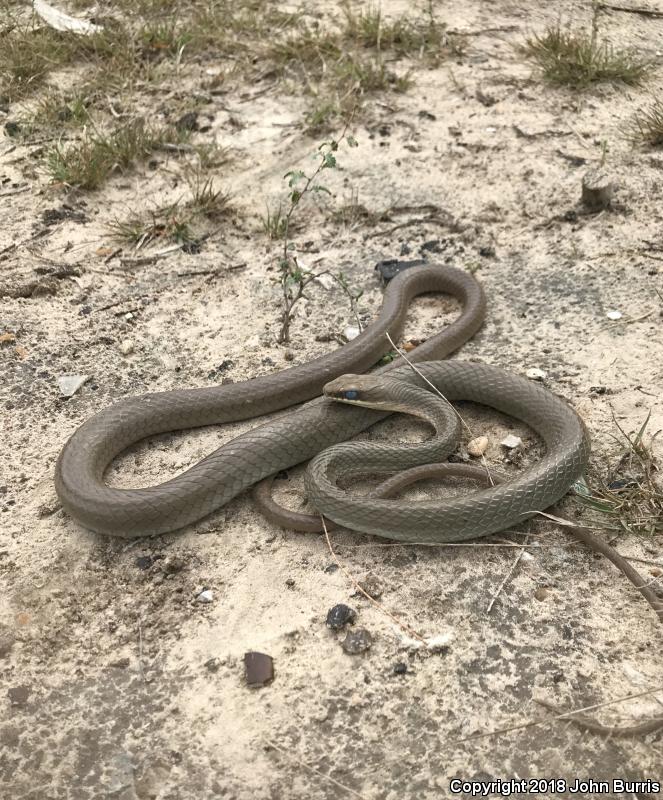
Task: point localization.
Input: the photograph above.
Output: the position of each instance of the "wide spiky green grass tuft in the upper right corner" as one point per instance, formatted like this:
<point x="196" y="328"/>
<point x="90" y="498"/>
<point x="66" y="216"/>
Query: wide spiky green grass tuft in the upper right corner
<point x="578" y="58"/>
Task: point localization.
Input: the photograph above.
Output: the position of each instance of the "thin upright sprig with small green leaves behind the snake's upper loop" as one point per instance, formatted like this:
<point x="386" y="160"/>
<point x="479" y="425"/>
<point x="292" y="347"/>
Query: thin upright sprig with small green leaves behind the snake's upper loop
<point x="292" y="277"/>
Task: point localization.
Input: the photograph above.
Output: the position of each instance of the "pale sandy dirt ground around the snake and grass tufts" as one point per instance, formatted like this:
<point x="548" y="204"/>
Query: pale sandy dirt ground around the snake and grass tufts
<point x="116" y="681"/>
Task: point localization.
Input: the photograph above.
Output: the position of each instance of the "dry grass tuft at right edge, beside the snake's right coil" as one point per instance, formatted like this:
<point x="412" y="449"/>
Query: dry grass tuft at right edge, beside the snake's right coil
<point x="630" y="493"/>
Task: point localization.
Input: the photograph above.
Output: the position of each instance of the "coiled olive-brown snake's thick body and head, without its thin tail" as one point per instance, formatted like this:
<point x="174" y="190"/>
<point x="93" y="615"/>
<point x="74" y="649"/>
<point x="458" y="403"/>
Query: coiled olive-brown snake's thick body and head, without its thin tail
<point x="321" y="428"/>
